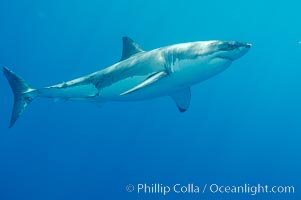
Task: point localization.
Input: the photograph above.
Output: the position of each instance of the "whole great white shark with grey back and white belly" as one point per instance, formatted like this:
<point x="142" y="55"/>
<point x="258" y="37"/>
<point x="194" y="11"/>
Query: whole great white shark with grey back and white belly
<point x="166" y="71"/>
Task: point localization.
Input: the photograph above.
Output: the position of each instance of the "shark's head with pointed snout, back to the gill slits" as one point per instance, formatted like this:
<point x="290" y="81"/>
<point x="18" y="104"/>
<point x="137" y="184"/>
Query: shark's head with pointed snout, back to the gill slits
<point x="201" y="60"/>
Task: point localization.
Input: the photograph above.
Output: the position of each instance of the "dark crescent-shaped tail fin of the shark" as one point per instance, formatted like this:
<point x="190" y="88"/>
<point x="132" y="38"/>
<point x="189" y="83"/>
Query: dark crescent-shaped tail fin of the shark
<point x="23" y="94"/>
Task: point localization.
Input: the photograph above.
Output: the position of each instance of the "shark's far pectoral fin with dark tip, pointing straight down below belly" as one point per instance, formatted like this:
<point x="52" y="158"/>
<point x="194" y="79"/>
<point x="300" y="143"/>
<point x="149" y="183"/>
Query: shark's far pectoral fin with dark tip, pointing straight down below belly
<point x="182" y="99"/>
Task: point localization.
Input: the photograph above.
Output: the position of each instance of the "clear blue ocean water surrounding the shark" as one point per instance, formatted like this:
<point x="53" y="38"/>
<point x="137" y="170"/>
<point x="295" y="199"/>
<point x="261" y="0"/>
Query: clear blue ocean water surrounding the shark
<point x="243" y="126"/>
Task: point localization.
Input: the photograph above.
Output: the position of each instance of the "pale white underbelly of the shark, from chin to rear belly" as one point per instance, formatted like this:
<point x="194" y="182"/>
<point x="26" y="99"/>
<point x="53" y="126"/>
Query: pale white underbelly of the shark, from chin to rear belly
<point x="182" y="78"/>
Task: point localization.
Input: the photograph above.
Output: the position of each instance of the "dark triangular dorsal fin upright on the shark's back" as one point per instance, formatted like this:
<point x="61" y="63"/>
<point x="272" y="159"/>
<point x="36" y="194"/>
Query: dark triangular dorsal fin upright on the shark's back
<point x="129" y="48"/>
